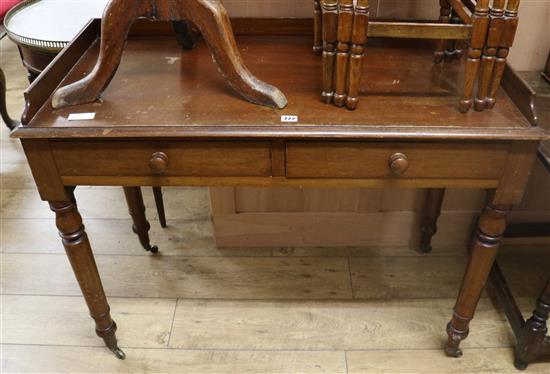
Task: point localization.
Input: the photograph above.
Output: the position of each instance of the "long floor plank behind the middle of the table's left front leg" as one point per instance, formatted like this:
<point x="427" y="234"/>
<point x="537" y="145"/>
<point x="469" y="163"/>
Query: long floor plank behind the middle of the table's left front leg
<point x="189" y="277"/>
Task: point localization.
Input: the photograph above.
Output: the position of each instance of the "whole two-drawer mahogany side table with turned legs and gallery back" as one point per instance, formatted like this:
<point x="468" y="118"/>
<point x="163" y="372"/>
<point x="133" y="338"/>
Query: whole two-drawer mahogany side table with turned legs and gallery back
<point x="205" y="135"/>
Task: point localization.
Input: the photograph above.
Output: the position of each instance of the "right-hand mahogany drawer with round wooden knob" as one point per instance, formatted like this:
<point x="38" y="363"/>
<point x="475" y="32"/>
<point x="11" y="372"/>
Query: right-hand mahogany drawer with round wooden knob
<point x="395" y="160"/>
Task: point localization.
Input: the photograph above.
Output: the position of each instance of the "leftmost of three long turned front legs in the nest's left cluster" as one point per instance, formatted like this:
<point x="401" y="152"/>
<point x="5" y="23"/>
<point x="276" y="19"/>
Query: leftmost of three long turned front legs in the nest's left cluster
<point x="329" y="10"/>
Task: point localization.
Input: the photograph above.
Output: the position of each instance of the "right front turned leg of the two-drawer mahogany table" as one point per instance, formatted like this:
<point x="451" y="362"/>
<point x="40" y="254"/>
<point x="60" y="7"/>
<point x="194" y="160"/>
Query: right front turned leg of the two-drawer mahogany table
<point x="490" y="227"/>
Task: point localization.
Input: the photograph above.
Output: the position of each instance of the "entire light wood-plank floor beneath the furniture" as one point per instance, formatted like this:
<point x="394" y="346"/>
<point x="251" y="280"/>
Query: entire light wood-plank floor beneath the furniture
<point x="198" y="309"/>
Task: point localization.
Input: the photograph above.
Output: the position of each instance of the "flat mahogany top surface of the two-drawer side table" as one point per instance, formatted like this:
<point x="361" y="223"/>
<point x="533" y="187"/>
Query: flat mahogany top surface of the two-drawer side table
<point x="161" y="90"/>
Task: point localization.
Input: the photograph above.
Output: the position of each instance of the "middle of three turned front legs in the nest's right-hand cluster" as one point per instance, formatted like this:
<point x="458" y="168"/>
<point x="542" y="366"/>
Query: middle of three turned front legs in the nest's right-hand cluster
<point x="496" y="26"/>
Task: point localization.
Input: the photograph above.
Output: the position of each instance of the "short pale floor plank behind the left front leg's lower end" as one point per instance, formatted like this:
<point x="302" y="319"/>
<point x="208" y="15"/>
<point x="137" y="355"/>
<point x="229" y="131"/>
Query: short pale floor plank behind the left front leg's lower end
<point x="55" y="320"/>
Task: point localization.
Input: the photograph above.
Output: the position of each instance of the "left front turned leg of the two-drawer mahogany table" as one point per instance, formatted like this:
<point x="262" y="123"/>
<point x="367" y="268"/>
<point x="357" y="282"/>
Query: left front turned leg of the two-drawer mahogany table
<point x="79" y="252"/>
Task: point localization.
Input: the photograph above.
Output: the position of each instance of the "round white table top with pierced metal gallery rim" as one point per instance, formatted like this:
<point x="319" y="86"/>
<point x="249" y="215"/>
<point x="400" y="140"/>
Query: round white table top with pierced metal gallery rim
<point x="51" y="24"/>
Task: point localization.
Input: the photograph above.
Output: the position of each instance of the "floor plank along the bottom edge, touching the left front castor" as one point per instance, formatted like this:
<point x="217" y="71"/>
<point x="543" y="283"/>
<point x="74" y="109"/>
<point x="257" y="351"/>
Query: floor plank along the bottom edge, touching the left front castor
<point x="42" y="359"/>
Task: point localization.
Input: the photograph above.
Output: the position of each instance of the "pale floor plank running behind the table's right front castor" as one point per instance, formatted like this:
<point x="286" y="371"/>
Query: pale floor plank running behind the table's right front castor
<point x="330" y="325"/>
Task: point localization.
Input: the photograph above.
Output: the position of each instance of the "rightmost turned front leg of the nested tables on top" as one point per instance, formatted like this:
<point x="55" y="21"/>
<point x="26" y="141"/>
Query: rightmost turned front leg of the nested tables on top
<point x="506" y="41"/>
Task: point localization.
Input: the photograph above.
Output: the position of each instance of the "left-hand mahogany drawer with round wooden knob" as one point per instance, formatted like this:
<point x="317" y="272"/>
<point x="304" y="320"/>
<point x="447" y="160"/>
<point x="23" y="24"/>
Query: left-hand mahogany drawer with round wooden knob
<point x="165" y="158"/>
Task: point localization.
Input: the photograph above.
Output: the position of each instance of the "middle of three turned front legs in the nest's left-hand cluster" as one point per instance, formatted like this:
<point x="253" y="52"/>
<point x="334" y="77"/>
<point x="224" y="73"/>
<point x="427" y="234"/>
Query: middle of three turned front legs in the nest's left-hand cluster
<point x="345" y="28"/>
